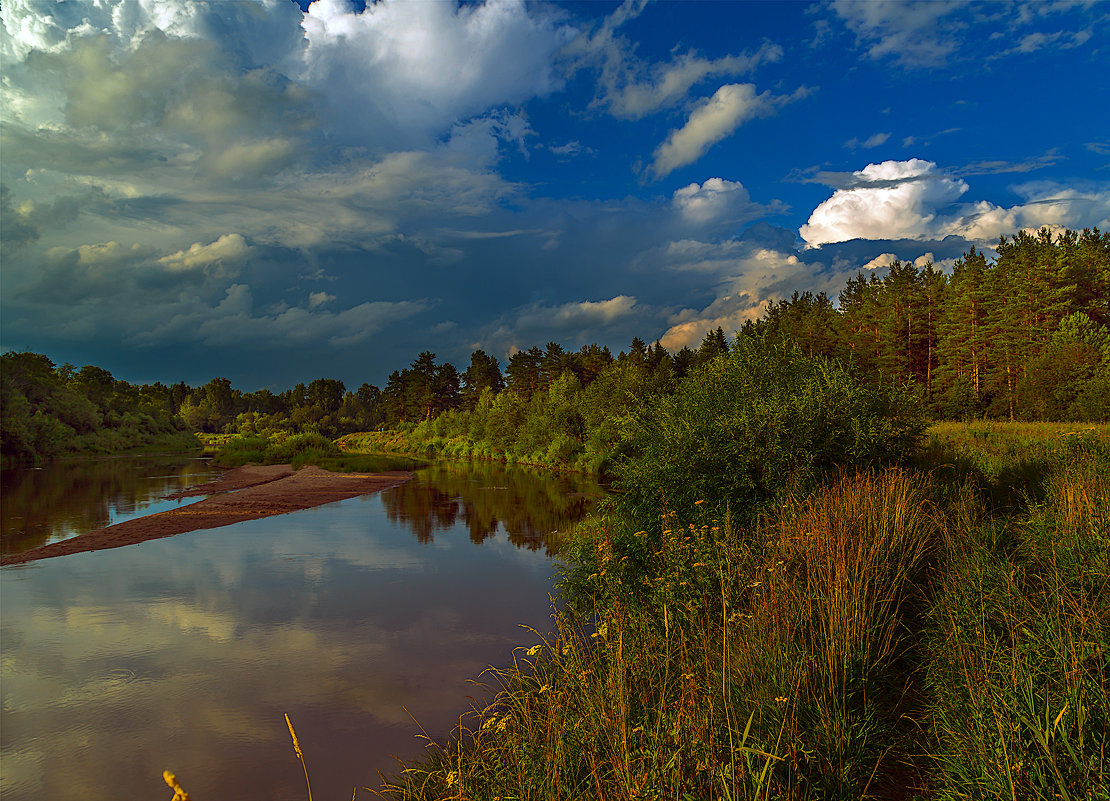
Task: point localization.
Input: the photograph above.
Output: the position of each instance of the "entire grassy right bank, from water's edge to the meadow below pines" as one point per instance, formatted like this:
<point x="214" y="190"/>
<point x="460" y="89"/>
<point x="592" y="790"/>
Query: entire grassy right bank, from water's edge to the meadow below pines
<point x="937" y="631"/>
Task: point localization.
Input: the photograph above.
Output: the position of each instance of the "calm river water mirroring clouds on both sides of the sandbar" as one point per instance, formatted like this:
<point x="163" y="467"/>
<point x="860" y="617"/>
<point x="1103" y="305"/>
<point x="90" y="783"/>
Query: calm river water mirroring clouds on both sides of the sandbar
<point x="185" y="653"/>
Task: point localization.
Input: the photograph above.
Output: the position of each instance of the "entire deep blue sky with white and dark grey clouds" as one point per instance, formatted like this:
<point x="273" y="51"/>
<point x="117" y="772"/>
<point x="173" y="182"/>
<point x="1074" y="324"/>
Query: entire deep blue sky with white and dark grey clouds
<point x="275" y="191"/>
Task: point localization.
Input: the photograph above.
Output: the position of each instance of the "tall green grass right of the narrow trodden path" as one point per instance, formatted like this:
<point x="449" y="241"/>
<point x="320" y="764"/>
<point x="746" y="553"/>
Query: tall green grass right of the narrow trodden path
<point x="1021" y="657"/>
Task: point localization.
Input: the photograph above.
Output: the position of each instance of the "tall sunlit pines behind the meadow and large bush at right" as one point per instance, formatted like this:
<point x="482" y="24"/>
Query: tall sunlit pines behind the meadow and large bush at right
<point x="1025" y="337"/>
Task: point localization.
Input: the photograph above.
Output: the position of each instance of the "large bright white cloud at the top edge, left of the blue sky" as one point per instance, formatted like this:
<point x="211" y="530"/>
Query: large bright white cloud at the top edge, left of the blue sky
<point x="386" y="66"/>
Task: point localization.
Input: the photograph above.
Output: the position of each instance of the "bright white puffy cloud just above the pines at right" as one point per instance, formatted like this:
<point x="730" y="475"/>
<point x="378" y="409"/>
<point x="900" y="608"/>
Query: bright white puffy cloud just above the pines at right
<point x="892" y="200"/>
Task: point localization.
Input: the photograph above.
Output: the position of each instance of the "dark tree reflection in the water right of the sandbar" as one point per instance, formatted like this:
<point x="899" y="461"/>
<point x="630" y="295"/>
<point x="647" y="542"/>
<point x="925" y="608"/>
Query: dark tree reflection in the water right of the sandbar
<point x="529" y="505"/>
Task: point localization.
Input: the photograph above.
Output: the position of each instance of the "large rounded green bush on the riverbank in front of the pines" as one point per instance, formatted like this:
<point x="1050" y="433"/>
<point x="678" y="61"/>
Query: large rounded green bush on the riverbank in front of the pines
<point x="759" y="422"/>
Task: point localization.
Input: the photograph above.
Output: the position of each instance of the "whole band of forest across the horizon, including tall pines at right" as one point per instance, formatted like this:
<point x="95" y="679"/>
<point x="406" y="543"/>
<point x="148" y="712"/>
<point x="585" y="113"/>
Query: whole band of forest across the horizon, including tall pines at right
<point x="1025" y="337"/>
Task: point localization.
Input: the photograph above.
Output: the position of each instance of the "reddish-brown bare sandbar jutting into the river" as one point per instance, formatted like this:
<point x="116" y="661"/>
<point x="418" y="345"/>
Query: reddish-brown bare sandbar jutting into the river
<point x="243" y="494"/>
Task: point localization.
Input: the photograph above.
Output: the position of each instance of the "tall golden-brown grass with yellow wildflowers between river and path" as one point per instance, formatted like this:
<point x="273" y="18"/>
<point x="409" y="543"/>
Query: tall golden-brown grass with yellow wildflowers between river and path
<point x="720" y="663"/>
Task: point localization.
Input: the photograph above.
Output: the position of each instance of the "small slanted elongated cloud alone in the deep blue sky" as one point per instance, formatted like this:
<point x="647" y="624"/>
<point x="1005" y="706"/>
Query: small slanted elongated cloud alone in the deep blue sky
<point x="711" y="121"/>
